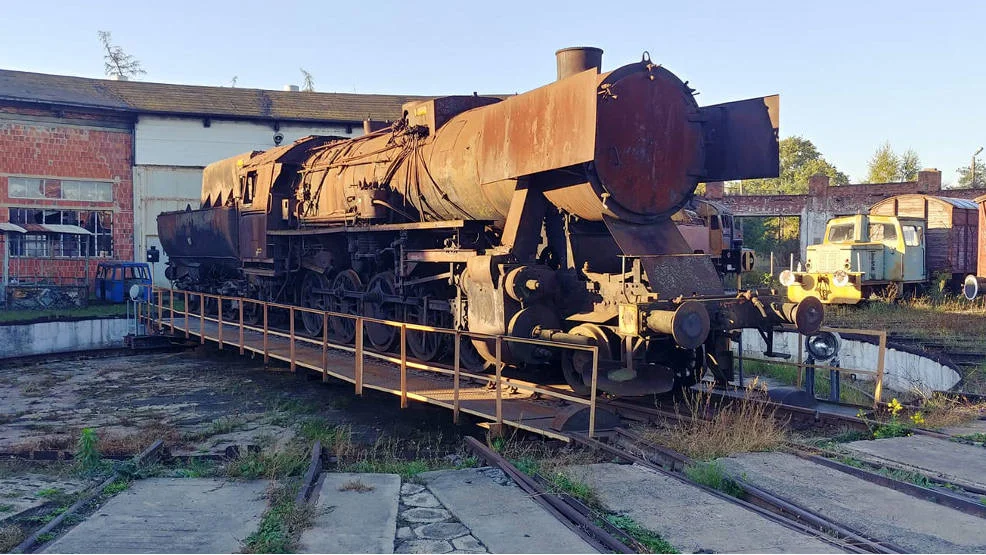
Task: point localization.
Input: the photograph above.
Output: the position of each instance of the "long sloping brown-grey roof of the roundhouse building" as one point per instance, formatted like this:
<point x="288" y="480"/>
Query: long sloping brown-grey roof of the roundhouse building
<point x="141" y="97"/>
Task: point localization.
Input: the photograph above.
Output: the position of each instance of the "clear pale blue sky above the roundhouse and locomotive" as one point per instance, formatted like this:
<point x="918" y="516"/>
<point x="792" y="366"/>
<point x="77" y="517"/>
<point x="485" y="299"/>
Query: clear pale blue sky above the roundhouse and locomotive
<point x="851" y="75"/>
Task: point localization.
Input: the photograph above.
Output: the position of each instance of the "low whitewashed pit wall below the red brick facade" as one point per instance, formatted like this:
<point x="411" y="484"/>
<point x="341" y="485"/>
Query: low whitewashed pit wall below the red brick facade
<point x="59" y="337"/>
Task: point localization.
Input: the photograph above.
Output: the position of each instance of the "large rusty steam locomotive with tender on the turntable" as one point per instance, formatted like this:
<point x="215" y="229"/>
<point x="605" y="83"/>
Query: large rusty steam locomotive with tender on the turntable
<point x="541" y="215"/>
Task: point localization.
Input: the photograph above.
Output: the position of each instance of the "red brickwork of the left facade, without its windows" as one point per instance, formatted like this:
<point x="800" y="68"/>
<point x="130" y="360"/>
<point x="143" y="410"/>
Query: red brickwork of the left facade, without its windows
<point x="83" y="147"/>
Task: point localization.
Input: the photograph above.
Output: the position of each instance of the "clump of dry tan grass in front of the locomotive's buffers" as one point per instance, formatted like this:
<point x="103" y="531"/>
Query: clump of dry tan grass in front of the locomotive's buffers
<point x="711" y="428"/>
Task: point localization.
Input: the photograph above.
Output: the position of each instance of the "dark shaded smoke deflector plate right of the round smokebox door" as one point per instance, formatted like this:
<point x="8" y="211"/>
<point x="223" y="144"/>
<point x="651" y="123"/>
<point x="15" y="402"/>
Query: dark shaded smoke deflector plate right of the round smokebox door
<point x="741" y="139"/>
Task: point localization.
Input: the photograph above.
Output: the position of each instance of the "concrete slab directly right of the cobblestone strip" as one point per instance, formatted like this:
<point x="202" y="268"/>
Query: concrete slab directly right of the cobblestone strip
<point x="499" y="514"/>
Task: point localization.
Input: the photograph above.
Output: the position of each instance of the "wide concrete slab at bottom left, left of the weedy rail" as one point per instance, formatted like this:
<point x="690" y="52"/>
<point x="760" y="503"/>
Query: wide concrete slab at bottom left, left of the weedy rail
<point x="171" y="515"/>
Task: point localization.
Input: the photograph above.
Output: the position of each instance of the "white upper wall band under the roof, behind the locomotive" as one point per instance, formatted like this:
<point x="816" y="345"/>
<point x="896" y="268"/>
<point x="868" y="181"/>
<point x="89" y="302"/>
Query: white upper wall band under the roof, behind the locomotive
<point x="177" y="141"/>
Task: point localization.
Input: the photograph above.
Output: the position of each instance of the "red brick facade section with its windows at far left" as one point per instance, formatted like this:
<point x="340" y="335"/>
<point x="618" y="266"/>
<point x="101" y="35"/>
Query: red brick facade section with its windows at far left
<point x="65" y="167"/>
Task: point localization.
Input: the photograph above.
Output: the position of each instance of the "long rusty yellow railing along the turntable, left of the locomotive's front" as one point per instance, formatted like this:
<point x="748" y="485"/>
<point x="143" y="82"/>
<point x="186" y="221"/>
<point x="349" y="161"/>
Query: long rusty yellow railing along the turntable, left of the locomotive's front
<point x="359" y="352"/>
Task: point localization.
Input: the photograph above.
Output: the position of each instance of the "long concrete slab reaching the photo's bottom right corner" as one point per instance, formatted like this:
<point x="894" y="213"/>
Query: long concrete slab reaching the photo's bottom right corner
<point x="878" y="512"/>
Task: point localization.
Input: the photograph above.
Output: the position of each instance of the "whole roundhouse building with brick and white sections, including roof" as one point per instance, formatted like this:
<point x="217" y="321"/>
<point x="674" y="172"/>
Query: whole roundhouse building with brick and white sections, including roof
<point x="108" y="156"/>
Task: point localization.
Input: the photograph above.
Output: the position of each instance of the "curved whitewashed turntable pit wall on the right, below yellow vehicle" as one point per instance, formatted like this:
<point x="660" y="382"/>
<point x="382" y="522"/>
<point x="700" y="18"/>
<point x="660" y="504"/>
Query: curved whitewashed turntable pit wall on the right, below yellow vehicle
<point x="903" y="371"/>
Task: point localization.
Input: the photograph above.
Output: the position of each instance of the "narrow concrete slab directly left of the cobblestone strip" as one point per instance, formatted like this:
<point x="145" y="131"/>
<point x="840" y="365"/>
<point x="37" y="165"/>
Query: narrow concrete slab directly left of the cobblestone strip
<point x="356" y="513"/>
